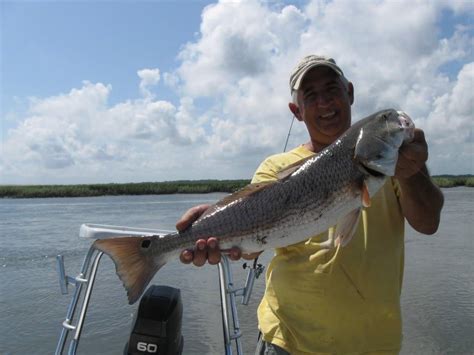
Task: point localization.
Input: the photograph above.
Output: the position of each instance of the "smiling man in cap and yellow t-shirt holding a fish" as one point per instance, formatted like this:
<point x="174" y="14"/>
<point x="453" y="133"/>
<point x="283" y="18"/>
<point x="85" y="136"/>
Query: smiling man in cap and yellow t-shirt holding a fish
<point x="346" y="300"/>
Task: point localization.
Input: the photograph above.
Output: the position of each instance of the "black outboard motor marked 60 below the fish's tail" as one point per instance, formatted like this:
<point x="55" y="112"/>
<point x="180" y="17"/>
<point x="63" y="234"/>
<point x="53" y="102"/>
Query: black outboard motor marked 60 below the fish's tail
<point x="157" y="324"/>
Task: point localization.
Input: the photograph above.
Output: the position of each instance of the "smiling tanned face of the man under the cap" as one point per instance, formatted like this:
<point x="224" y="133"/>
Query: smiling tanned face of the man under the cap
<point x="324" y="105"/>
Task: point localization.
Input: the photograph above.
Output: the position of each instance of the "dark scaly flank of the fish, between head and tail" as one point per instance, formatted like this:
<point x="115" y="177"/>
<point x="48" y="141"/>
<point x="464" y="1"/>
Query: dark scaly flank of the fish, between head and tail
<point x="295" y="202"/>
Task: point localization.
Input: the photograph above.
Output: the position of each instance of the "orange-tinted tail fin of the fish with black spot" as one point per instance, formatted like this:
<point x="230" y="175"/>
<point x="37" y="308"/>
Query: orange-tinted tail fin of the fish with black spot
<point x="134" y="262"/>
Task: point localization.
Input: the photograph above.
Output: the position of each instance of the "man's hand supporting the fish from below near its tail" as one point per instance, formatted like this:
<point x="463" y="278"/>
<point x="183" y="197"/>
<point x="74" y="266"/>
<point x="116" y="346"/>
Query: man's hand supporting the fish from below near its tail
<point x="205" y="249"/>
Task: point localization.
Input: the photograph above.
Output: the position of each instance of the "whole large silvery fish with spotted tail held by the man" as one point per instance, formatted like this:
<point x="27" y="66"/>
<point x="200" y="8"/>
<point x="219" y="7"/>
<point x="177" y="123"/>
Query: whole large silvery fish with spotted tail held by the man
<point x="327" y="189"/>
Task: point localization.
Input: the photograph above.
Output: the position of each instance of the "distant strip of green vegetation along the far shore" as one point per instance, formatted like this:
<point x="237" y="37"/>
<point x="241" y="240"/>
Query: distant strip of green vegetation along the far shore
<point x="167" y="187"/>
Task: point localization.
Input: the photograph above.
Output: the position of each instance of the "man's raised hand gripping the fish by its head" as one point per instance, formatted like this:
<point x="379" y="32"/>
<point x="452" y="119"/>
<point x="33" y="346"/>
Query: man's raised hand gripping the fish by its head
<point x="412" y="156"/>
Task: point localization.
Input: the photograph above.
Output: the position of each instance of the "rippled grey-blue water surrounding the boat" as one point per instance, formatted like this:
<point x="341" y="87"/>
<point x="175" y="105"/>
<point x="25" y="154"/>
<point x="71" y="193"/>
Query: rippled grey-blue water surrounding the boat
<point x="438" y="306"/>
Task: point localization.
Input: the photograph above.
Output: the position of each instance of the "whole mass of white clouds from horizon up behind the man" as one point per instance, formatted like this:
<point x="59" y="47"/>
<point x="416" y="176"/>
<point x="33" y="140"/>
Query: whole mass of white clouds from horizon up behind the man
<point x="232" y="80"/>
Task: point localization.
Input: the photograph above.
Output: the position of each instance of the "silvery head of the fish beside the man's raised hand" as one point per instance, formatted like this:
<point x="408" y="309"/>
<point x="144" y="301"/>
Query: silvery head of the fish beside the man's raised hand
<point x="379" y="140"/>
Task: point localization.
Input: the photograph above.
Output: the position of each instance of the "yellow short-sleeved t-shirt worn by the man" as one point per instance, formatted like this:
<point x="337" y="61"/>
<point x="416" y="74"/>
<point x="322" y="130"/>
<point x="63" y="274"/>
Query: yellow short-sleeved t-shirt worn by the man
<point x="340" y="301"/>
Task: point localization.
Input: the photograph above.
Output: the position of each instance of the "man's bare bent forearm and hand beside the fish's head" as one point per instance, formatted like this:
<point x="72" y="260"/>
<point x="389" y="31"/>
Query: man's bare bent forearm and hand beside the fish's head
<point x="421" y="200"/>
